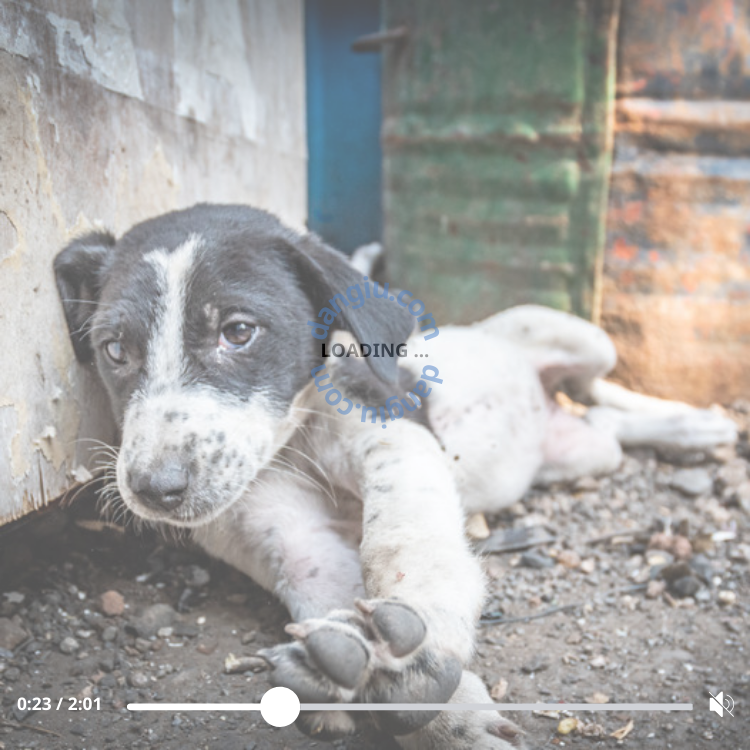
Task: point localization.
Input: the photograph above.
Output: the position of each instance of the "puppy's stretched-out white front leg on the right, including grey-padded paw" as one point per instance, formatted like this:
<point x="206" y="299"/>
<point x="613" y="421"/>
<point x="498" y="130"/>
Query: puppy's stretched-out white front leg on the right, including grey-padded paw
<point x="408" y="642"/>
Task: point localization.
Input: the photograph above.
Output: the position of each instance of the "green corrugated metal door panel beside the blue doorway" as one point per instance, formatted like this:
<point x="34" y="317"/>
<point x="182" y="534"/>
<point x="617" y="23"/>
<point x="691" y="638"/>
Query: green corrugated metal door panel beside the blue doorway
<point x="497" y="138"/>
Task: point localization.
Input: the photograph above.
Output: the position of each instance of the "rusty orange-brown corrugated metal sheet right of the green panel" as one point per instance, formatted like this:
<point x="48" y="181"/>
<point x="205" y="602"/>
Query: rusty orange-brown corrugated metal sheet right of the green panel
<point x="676" y="295"/>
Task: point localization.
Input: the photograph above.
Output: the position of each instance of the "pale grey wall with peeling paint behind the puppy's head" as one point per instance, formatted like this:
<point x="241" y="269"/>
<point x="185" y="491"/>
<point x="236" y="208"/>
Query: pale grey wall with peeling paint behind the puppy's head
<point x="111" y="112"/>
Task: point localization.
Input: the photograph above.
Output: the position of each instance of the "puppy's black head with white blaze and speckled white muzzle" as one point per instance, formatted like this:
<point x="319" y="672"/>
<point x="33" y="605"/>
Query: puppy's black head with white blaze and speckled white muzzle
<point x="197" y="324"/>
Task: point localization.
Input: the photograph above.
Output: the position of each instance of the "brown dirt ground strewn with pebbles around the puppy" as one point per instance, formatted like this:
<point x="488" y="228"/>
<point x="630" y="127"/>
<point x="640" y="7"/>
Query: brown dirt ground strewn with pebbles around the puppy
<point x="615" y="619"/>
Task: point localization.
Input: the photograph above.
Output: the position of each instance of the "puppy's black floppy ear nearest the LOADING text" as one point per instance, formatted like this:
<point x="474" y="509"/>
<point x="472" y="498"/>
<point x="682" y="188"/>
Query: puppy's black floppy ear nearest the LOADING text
<point x="326" y="272"/>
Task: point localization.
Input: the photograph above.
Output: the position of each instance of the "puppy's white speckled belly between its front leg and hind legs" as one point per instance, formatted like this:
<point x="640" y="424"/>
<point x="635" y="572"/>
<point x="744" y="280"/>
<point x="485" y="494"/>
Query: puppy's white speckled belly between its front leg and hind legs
<point x="490" y="413"/>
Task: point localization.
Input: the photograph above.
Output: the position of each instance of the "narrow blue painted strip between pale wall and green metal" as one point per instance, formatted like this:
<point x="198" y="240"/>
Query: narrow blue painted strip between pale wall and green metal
<point x="343" y="123"/>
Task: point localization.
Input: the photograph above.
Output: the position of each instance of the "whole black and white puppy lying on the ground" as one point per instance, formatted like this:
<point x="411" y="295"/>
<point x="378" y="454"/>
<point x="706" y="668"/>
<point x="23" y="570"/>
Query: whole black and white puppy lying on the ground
<point x="197" y="322"/>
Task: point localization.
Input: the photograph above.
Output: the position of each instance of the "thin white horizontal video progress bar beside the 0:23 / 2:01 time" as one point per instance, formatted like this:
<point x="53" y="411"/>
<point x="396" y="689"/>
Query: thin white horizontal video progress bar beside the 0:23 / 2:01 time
<point x="420" y="706"/>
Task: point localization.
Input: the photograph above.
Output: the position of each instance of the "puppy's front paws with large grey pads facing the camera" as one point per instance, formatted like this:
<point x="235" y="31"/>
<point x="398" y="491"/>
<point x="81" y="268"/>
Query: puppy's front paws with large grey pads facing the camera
<point x="378" y="654"/>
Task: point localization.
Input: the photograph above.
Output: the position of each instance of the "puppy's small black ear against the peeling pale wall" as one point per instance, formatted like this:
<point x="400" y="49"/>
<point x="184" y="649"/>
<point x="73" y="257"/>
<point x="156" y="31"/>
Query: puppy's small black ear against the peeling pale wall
<point x="79" y="275"/>
